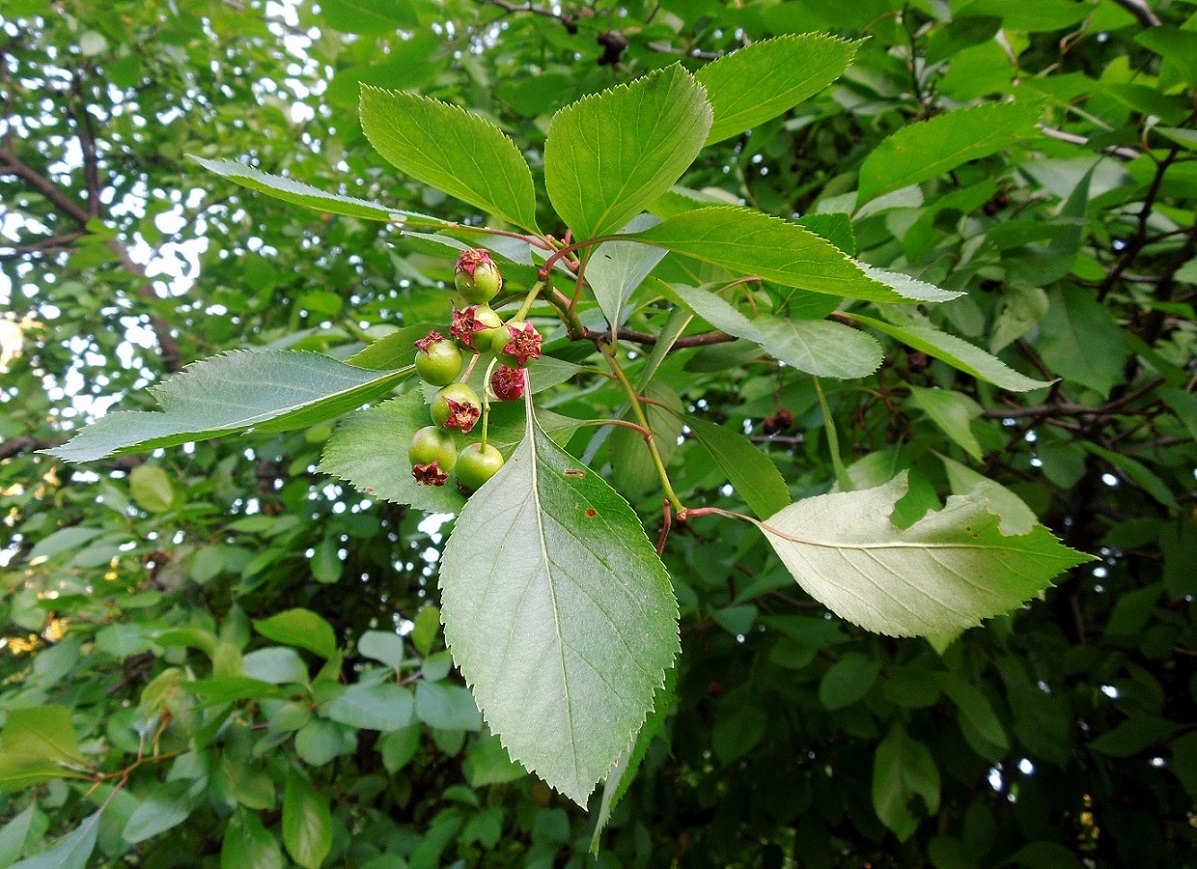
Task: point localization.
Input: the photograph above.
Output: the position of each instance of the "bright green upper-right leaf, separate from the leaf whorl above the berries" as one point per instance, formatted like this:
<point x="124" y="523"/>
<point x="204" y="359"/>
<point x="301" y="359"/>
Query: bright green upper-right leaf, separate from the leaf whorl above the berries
<point x="927" y="150"/>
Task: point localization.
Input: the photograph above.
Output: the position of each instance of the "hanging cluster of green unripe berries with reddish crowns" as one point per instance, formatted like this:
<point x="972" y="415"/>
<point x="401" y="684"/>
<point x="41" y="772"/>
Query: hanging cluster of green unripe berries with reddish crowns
<point x="441" y="362"/>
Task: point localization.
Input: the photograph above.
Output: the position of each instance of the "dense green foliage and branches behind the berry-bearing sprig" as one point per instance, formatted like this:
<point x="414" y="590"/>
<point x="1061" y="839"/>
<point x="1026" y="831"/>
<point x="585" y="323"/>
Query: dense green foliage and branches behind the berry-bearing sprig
<point x="200" y="648"/>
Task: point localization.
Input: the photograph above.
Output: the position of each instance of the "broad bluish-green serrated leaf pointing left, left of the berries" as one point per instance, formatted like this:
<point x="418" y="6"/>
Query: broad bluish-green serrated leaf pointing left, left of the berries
<point x="264" y="391"/>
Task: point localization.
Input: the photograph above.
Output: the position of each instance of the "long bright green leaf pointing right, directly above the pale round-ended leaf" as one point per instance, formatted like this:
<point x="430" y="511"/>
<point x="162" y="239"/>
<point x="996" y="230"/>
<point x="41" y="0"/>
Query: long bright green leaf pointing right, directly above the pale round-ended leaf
<point x="754" y="244"/>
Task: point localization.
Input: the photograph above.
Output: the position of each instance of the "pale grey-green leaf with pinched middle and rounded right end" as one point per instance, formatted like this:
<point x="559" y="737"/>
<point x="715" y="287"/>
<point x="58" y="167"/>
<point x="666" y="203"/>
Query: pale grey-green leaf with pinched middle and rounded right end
<point x="816" y="347"/>
